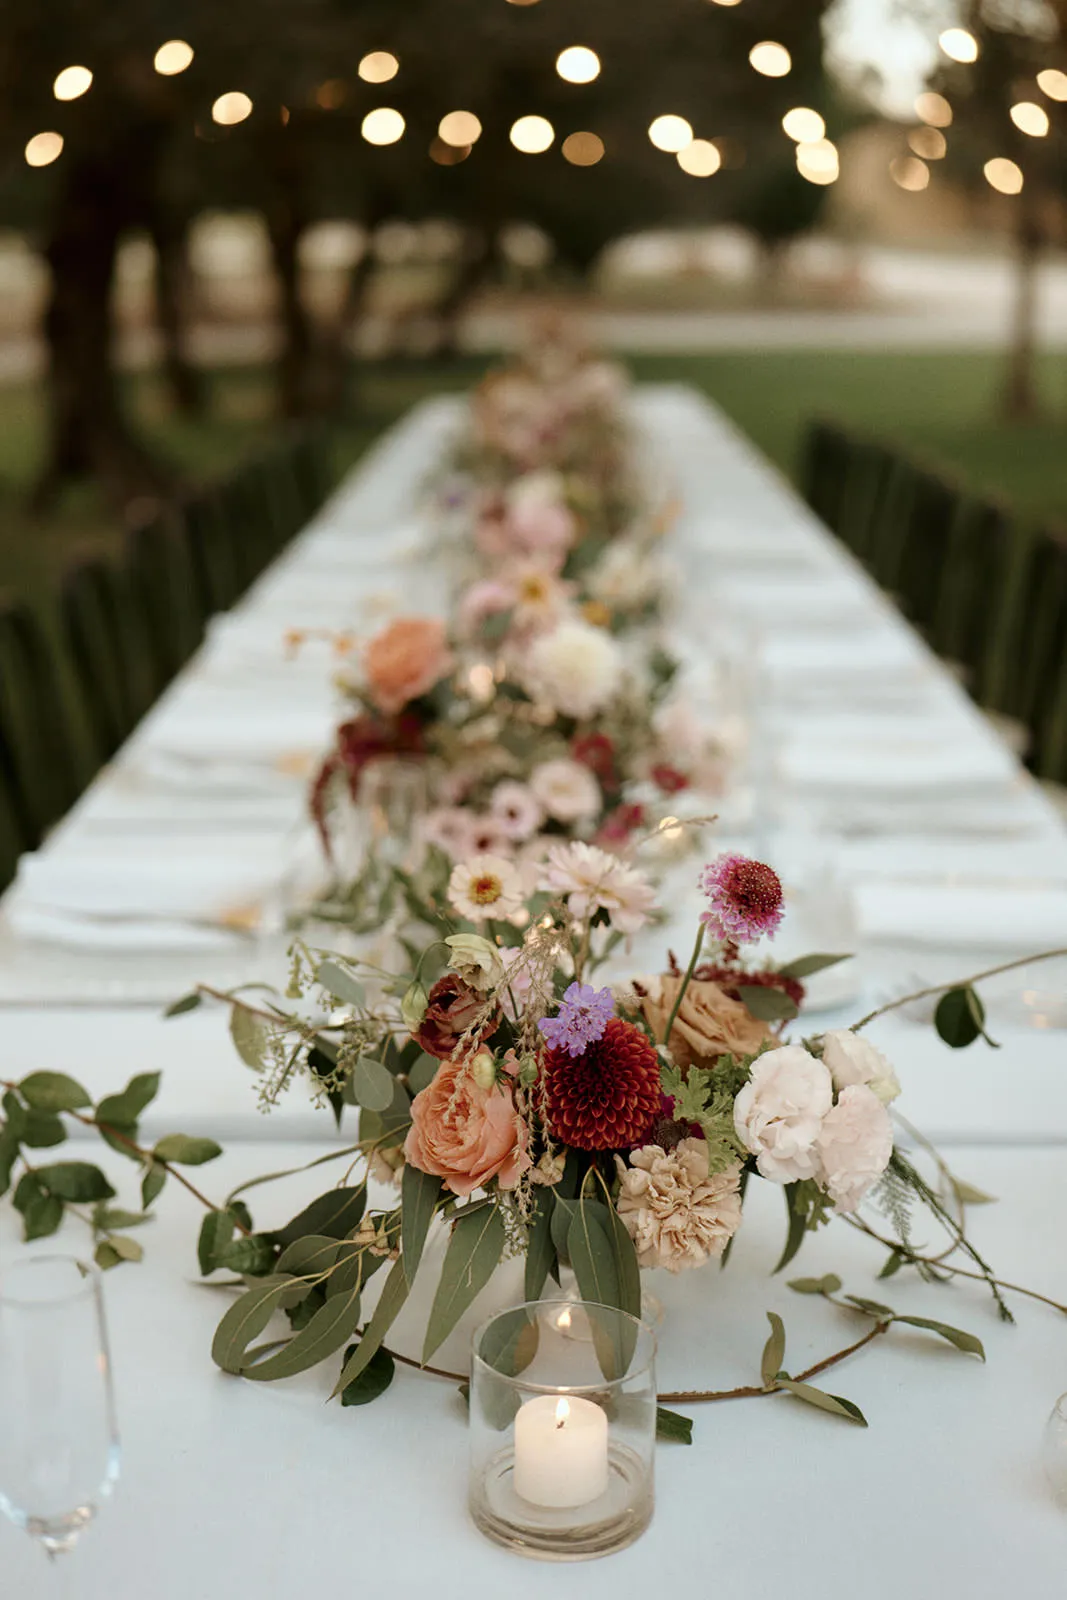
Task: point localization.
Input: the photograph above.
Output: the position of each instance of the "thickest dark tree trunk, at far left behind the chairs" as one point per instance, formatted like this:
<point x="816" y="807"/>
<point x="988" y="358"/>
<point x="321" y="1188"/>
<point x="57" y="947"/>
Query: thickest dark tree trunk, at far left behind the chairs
<point x="89" y="433"/>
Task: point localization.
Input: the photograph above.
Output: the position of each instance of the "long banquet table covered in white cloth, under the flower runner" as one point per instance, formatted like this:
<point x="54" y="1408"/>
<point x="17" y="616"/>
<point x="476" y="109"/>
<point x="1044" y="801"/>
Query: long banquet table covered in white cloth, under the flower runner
<point x="881" y="788"/>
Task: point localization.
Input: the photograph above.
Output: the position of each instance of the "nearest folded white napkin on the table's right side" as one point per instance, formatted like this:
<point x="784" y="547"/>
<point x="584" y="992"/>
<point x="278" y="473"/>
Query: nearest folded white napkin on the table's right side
<point x="981" y="918"/>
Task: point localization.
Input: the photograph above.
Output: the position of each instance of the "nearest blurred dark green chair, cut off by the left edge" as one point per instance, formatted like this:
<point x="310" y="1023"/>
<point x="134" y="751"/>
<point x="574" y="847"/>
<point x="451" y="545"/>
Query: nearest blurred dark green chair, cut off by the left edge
<point x="42" y="769"/>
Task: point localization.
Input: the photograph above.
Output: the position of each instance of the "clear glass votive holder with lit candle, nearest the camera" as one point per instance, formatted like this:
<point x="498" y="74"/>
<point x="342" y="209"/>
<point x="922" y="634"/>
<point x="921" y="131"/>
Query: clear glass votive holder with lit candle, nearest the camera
<point x="562" y="1430"/>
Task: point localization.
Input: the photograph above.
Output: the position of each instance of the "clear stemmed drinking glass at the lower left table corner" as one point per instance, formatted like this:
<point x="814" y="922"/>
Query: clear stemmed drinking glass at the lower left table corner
<point x="58" y="1434"/>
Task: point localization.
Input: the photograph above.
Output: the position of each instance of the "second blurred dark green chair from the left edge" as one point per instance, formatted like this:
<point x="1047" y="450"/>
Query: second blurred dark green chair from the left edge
<point x="108" y="639"/>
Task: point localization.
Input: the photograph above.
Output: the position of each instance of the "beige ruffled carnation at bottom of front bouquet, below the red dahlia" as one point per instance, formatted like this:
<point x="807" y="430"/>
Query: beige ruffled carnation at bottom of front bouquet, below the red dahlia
<point x="676" y="1215"/>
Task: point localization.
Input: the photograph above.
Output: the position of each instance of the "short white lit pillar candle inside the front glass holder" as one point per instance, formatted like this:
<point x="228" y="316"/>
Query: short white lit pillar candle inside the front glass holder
<point x="561" y="1452"/>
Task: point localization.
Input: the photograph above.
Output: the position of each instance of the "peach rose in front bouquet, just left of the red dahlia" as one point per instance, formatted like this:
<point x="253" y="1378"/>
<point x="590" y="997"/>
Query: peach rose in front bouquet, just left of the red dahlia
<point x="466" y="1134"/>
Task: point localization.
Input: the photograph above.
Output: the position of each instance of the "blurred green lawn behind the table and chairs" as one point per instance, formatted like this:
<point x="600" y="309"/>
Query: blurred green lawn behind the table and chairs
<point x="943" y="406"/>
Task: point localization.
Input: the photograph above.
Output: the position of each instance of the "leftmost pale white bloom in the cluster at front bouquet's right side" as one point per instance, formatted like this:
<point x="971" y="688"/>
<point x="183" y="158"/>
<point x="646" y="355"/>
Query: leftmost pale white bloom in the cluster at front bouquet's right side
<point x="780" y="1113"/>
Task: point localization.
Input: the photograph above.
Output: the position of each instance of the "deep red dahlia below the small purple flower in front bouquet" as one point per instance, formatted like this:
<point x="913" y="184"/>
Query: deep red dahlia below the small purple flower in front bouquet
<point x="607" y="1098"/>
